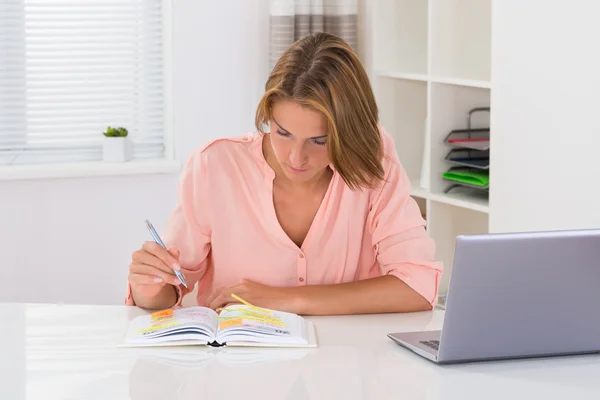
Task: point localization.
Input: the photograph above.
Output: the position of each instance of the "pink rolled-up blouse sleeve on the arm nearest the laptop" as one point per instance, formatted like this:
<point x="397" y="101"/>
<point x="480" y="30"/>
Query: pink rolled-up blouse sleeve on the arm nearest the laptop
<point x="404" y="248"/>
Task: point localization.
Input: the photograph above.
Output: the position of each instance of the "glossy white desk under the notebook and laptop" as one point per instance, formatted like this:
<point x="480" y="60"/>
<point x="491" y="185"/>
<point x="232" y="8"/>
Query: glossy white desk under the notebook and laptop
<point x="70" y="352"/>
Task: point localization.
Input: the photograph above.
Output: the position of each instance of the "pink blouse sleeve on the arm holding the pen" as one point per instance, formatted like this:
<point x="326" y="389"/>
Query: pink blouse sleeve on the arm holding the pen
<point x="188" y="226"/>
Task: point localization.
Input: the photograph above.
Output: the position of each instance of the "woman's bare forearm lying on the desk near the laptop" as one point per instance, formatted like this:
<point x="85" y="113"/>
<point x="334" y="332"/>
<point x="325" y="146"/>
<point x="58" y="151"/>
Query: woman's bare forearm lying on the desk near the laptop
<point x="377" y="295"/>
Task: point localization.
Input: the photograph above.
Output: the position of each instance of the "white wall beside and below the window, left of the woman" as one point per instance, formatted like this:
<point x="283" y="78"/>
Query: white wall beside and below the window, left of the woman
<point x="57" y="231"/>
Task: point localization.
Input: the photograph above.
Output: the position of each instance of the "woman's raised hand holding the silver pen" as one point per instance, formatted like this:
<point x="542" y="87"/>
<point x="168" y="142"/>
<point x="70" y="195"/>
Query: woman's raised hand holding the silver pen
<point x="152" y="268"/>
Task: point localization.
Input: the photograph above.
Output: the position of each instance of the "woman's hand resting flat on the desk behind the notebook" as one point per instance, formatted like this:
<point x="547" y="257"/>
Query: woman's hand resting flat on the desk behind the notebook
<point x="257" y="294"/>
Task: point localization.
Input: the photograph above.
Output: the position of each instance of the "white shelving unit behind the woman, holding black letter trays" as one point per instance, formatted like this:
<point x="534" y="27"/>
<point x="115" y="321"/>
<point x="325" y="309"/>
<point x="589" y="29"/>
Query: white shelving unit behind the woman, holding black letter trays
<point x="430" y="65"/>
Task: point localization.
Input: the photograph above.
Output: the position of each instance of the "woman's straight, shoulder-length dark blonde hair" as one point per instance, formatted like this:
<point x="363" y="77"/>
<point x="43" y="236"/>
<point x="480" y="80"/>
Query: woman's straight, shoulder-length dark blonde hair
<point x="322" y="72"/>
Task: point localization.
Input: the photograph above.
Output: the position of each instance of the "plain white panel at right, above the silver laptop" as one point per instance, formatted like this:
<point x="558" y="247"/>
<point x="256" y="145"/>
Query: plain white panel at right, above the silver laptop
<point x="545" y="105"/>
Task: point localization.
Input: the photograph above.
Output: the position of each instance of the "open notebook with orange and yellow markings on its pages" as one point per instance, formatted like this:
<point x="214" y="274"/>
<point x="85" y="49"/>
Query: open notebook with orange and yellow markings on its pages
<point x="235" y="325"/>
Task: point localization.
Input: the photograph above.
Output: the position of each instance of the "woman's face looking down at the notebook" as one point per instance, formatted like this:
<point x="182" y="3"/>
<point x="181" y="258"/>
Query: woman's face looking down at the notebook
<point x="299" y="140"/>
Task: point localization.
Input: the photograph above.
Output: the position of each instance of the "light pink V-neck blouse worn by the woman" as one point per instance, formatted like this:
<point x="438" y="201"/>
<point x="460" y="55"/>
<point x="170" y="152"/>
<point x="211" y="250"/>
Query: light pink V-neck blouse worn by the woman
<point x="225" y="227"/>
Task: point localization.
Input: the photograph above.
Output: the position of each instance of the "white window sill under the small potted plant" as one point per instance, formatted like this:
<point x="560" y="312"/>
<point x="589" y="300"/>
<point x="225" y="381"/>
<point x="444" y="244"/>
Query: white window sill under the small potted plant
<point x="88" y="169"/>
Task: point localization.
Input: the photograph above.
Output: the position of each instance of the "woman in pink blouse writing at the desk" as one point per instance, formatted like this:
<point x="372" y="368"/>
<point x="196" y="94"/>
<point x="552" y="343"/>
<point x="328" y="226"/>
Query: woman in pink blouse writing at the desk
<point x="312" y="216"/>
